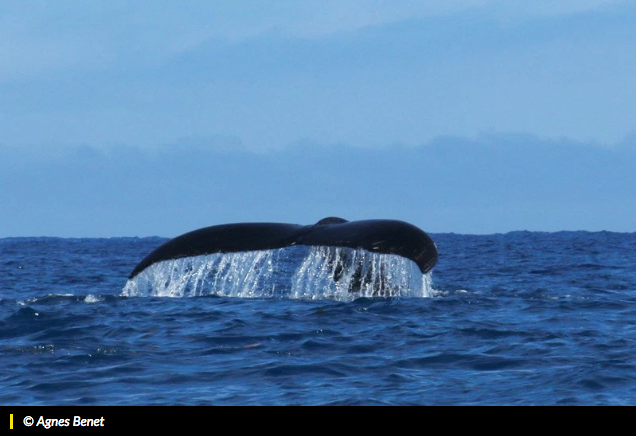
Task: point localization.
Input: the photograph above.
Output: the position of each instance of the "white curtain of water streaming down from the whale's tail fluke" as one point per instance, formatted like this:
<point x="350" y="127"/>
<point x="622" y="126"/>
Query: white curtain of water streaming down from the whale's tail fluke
<point x="295" y="272"/>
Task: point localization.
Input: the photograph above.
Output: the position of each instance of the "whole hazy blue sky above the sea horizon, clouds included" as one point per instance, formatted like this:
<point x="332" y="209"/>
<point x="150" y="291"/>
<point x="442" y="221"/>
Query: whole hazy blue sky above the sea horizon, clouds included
<point x="153" y="118"/>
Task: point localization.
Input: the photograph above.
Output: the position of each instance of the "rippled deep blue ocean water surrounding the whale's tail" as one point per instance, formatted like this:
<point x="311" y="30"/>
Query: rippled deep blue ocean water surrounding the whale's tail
<point x="516" y="319"/>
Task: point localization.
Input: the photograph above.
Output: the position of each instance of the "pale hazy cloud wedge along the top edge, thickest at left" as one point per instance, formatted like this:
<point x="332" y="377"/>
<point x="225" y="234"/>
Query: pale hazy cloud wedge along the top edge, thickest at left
<point x="40" y="37"/>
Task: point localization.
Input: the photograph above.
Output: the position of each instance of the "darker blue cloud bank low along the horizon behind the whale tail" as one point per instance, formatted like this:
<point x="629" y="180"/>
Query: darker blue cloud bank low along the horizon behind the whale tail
<point x="489" y="184"/>
